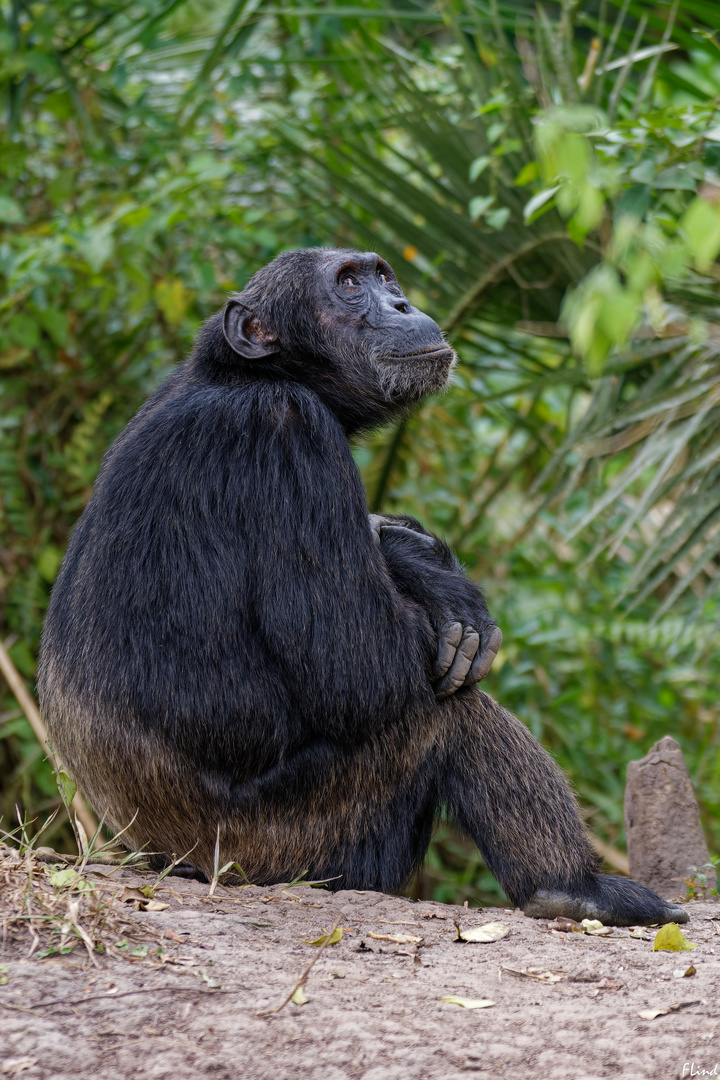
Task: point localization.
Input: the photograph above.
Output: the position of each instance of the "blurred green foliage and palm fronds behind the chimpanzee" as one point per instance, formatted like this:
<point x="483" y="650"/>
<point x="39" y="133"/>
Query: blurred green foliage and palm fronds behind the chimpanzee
<point x="546" y="182"/>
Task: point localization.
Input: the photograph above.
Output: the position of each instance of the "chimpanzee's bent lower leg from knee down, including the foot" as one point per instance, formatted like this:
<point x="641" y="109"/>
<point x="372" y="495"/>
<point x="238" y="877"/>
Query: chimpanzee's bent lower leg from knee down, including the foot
<point x="510" y="796"/>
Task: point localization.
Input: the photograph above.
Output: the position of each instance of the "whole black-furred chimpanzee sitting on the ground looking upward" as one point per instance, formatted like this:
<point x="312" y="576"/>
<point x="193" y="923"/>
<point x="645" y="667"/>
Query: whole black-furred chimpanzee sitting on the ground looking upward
<point x="235" y="649"/>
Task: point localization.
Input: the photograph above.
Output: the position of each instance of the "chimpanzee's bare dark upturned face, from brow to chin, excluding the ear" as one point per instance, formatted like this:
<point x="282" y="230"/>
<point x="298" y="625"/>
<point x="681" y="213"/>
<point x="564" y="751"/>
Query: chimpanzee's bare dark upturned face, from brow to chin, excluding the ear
<point x="369" y="321"/>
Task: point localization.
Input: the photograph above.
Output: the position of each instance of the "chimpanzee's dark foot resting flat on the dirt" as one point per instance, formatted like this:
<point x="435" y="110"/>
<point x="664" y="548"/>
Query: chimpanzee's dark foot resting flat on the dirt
<point x="615" y="901"/>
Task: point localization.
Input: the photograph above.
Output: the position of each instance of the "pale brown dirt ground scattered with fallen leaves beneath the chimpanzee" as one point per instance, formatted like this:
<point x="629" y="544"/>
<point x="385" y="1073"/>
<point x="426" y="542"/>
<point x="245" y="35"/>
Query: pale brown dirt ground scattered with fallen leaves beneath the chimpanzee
<point x="182" y="991"/>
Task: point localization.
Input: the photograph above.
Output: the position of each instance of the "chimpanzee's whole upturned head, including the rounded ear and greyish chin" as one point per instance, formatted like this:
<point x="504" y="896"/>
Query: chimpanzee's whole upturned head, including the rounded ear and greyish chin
<point x="339" y="322"/>
